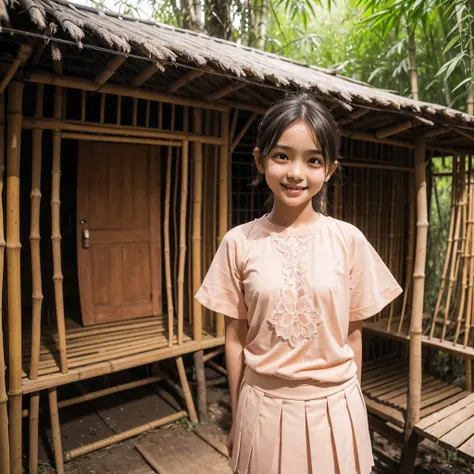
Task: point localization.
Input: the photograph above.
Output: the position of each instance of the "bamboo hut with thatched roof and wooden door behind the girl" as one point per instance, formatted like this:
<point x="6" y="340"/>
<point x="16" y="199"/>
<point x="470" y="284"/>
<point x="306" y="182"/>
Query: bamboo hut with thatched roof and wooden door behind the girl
<point x="127" y="156"/>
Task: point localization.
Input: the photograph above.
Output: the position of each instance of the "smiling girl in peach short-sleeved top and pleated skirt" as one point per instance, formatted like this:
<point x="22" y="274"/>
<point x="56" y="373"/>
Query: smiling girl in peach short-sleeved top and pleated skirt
<point x="294" y="286"/>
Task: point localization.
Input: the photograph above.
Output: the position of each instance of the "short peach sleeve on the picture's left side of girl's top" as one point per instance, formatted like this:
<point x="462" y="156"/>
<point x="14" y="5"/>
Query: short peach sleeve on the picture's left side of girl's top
<point x="222" y="288"/>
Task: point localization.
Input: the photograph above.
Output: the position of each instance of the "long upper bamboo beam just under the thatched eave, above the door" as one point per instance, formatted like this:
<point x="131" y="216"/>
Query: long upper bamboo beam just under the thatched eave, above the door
<point x="115" y="89"/>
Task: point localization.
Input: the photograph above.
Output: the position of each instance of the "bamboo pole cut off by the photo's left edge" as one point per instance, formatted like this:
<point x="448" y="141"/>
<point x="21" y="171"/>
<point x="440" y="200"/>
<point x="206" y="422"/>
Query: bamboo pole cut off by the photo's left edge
<point x="4" y="438"/>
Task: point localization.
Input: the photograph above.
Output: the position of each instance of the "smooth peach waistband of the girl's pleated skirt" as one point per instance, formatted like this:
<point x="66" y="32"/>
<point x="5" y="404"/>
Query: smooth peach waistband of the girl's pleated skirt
<point x="293" y="389"/>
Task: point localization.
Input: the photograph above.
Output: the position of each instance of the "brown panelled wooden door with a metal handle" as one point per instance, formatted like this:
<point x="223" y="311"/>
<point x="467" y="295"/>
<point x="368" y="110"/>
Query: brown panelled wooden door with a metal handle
<point x="118" y="201"/>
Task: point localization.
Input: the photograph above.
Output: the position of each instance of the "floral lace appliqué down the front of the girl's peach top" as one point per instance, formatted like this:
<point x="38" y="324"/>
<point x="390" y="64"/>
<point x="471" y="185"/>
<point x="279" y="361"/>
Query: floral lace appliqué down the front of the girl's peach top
<point x="294" y="317"/>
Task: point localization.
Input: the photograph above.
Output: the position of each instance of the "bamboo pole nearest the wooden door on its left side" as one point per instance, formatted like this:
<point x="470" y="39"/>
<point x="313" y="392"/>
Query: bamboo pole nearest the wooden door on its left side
<point x="56" y="232"/>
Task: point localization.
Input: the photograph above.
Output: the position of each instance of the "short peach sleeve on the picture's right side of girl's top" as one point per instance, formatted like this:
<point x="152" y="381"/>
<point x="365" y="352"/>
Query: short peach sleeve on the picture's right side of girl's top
<point x="372" y="286"/>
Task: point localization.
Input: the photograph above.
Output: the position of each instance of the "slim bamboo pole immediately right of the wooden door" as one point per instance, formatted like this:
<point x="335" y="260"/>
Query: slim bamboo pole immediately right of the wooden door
<point x="166" y="239"/>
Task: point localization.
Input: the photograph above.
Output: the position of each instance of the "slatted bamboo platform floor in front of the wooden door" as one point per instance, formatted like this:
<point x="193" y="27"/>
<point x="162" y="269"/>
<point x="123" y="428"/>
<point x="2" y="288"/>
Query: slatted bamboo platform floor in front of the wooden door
<point x="105" y="348"/>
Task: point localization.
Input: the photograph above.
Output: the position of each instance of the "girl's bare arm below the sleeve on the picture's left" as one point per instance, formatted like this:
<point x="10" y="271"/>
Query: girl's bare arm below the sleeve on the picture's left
<point x="235" y="337"/>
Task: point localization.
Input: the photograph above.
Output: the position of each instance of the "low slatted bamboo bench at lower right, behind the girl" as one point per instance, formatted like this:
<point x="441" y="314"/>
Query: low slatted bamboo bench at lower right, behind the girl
<point x="447" y="411"/>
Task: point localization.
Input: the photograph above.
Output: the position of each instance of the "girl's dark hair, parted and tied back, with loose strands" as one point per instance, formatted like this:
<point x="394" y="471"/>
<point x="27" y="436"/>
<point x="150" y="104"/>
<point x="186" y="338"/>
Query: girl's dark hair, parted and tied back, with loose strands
<point x="300" y="107"/>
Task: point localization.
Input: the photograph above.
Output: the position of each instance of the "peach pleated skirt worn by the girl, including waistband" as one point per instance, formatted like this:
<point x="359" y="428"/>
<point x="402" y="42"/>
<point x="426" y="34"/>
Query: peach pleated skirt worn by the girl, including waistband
<point x="281" y="435"/>
